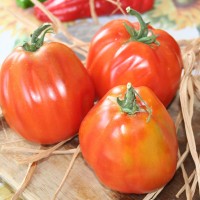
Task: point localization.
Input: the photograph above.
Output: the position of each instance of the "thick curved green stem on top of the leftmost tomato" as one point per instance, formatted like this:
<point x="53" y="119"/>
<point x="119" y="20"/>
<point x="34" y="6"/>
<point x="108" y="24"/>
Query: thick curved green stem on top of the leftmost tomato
<point x="37" y="38"/>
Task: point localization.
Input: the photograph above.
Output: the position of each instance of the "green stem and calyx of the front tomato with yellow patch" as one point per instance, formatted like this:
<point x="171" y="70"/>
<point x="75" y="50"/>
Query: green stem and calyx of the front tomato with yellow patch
<point x="129" y="104"/>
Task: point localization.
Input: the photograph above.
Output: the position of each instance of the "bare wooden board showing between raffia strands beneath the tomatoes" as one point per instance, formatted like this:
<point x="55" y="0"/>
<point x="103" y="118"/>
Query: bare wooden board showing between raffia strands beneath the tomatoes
<point x="81" y="183"/>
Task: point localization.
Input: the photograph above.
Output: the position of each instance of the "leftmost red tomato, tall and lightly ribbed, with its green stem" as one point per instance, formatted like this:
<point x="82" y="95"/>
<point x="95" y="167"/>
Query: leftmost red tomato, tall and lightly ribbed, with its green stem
<point x="45" y="91"/>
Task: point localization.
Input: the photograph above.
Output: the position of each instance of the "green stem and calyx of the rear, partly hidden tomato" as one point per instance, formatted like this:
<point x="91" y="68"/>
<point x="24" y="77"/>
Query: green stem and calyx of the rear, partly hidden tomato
<point x="143" y="35"/>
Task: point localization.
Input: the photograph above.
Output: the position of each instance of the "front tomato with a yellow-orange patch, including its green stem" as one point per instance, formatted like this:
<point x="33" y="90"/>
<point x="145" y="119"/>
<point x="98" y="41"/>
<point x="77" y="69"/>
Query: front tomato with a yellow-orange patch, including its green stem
<point x="130" y="144"/>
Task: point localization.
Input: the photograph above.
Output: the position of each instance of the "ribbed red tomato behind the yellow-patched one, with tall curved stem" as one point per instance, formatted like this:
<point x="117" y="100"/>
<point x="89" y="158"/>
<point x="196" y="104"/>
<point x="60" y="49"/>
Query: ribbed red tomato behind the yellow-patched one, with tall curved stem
<point x="122" y="52"/>
